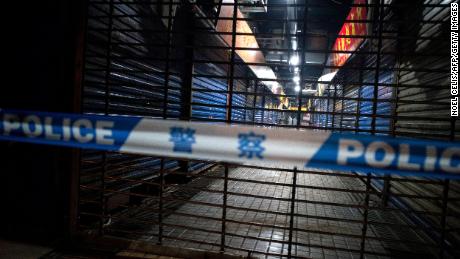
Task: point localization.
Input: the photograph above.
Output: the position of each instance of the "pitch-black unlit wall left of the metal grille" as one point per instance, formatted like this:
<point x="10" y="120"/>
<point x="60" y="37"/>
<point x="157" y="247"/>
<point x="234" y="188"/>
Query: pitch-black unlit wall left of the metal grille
<point x="38" y="62"/>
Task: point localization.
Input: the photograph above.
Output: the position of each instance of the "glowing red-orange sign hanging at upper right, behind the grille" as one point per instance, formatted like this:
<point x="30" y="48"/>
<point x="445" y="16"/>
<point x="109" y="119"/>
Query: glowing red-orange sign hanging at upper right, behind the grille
<point x="350" y="29"/>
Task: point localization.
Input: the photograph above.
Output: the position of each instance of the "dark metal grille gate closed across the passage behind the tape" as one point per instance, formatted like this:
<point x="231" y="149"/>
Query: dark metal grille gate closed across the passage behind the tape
<point x="276" y="64"/>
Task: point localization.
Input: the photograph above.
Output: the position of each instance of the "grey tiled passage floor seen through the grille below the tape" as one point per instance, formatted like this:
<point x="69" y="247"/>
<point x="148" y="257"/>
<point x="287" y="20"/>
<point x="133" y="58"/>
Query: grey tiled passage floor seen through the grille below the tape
<point x="250" y="225"/>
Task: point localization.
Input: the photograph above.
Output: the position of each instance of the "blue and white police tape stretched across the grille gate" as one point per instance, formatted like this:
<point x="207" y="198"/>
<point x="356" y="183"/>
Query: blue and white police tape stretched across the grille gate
<point x="236" y="144"/>
